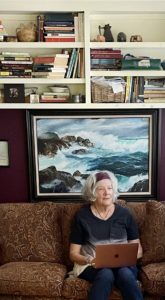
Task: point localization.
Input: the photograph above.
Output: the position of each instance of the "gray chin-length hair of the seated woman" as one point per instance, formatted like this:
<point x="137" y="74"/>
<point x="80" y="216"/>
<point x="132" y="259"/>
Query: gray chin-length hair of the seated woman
<point x="88" y="191"/>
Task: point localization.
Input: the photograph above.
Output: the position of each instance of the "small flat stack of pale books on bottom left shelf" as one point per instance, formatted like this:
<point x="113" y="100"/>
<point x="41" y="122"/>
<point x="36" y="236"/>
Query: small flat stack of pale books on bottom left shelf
<point x="57" y="94"/>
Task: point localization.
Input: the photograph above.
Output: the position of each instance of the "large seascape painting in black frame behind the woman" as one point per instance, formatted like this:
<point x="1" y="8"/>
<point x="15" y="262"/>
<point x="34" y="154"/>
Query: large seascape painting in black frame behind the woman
<point x="65" y="146"/>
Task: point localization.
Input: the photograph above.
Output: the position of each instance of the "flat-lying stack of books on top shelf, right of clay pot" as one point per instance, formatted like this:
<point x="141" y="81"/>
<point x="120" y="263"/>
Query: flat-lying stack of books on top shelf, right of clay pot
<point x="59" y="27"/>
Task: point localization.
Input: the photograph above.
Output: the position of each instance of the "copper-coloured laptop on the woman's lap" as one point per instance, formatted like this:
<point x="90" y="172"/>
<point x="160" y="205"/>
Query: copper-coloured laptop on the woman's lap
<point x="116" y="255"/>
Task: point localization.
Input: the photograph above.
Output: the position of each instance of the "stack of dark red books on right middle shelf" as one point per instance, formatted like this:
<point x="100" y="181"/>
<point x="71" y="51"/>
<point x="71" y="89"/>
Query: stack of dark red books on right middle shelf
<point x="106" y="59"/>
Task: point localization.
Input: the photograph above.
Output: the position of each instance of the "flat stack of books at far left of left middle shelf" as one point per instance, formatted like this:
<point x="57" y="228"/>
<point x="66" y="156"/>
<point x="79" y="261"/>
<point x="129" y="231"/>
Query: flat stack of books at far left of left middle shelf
<point x="13" y="64"/>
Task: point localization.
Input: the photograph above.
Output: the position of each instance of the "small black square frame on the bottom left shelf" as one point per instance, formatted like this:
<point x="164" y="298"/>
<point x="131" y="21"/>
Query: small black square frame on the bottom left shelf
<point x="14" y="93"/>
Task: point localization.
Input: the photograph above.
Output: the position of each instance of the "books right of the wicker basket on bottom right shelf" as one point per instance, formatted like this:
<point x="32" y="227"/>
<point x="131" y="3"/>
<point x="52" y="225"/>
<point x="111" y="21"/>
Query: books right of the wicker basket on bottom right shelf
<point x="145" y="89"/>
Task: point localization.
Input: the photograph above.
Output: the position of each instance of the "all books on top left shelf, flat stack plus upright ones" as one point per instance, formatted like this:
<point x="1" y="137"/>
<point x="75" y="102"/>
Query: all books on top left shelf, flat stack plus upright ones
<point x="60" y="27"/>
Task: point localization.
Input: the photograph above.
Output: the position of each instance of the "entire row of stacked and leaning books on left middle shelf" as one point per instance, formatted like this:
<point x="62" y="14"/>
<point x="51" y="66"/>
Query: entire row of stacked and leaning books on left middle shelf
<point x="62" y="65"/>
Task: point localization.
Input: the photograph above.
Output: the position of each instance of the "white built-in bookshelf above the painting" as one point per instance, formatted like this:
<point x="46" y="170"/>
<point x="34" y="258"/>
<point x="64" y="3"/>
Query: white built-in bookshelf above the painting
<point x="146" y="18"/>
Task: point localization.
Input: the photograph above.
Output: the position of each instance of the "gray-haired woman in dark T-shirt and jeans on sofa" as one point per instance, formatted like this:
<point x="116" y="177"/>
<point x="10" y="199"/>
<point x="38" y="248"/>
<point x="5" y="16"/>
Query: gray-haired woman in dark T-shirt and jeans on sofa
<point x="103" y="221"/>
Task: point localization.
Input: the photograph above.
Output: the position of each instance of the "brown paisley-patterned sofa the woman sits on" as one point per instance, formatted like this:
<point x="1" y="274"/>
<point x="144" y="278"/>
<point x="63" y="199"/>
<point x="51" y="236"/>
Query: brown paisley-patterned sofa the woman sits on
<point x="34" y="247"/>
